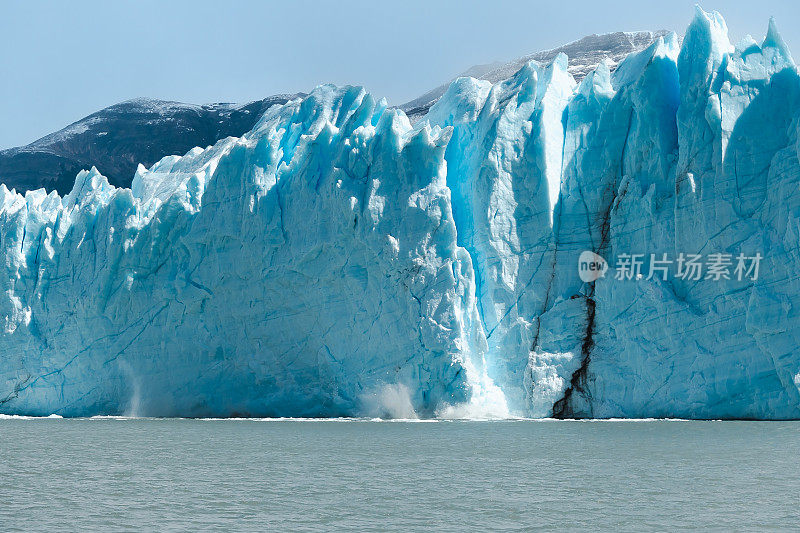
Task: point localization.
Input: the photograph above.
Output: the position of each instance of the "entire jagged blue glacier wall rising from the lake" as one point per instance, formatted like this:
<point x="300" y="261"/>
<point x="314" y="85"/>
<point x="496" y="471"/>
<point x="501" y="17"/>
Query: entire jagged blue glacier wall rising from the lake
<point x="338" y="260"/>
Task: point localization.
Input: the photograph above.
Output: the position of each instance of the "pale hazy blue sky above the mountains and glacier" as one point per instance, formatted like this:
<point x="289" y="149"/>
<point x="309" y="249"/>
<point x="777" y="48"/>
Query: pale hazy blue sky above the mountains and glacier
<point x="60" y="61"/>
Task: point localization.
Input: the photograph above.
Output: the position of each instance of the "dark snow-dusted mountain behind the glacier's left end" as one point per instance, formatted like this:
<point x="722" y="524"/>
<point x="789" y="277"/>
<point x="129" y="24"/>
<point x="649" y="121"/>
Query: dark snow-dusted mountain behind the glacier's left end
<point x="117" y="138"/>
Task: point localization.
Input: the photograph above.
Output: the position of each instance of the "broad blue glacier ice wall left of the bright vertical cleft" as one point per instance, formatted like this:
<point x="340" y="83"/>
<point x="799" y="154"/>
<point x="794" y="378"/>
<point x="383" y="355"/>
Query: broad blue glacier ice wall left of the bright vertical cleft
<point x="291" y="272"/>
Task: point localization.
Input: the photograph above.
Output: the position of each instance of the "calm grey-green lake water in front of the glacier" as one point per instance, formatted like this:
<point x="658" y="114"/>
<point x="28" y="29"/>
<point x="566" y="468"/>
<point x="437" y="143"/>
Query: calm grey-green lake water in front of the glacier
<point x="360" y="475"/>
